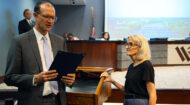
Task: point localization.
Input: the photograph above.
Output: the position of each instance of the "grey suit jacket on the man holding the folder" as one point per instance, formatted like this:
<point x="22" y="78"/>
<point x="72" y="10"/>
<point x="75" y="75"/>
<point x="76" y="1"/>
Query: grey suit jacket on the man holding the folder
<point x="24" y="61"/>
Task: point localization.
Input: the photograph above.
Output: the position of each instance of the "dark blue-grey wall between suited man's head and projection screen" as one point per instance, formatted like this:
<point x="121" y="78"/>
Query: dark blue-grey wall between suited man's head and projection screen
<point x="76" y="19"/>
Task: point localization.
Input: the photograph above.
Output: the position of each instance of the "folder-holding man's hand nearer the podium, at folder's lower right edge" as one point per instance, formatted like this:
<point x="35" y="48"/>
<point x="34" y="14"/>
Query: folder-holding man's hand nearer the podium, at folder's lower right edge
<point x="69" y="79"/>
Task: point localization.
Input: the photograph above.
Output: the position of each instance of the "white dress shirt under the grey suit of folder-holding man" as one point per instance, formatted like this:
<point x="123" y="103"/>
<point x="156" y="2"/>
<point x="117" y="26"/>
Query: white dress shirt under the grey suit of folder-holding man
<point x="47" y="89"/>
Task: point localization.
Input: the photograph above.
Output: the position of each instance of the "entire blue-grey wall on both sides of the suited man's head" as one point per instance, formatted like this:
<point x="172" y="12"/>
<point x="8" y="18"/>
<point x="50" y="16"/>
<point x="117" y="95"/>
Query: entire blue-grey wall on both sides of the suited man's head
<point x="75" y="19"/>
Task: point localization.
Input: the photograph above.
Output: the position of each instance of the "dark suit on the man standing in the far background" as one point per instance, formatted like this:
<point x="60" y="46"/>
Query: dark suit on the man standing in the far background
<point x="24" y="26"/>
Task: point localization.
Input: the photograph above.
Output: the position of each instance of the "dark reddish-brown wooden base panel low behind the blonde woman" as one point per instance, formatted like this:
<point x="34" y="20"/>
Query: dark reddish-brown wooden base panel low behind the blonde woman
<point x="164" y="96"/>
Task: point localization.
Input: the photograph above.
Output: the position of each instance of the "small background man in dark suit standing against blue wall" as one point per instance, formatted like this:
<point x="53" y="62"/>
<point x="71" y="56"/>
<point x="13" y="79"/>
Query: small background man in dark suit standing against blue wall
<point x="25" y="24"/>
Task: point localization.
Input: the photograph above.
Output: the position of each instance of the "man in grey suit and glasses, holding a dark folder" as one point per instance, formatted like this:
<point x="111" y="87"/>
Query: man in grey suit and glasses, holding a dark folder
<point x="28" y="63"/>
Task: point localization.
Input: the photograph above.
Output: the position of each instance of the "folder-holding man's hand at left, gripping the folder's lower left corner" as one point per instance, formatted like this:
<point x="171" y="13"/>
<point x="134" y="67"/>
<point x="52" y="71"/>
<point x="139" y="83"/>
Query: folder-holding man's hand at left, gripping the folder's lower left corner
<point x="45" y="76"/>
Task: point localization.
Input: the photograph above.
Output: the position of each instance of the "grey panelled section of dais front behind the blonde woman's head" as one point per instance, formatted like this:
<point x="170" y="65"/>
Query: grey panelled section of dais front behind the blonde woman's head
<point x="158" y="55"/>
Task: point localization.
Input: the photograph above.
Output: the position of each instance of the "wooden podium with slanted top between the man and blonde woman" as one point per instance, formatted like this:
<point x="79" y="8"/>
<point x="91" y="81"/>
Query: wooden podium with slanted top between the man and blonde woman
<point x="89" y="90"/>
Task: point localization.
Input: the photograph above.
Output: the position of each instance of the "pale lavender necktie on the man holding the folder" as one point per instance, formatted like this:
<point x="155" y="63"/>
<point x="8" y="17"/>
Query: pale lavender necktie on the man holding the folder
<point x="48" y="60"/>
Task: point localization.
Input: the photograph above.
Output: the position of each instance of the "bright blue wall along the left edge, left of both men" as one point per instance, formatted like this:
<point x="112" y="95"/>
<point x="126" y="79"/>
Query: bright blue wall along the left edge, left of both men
<point x="11" y="11"/>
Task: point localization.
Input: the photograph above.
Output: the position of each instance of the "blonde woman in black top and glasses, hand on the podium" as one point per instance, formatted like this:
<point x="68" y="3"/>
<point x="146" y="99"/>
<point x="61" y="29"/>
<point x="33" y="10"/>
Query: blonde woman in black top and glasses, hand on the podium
<point x="139" y="86"/>
